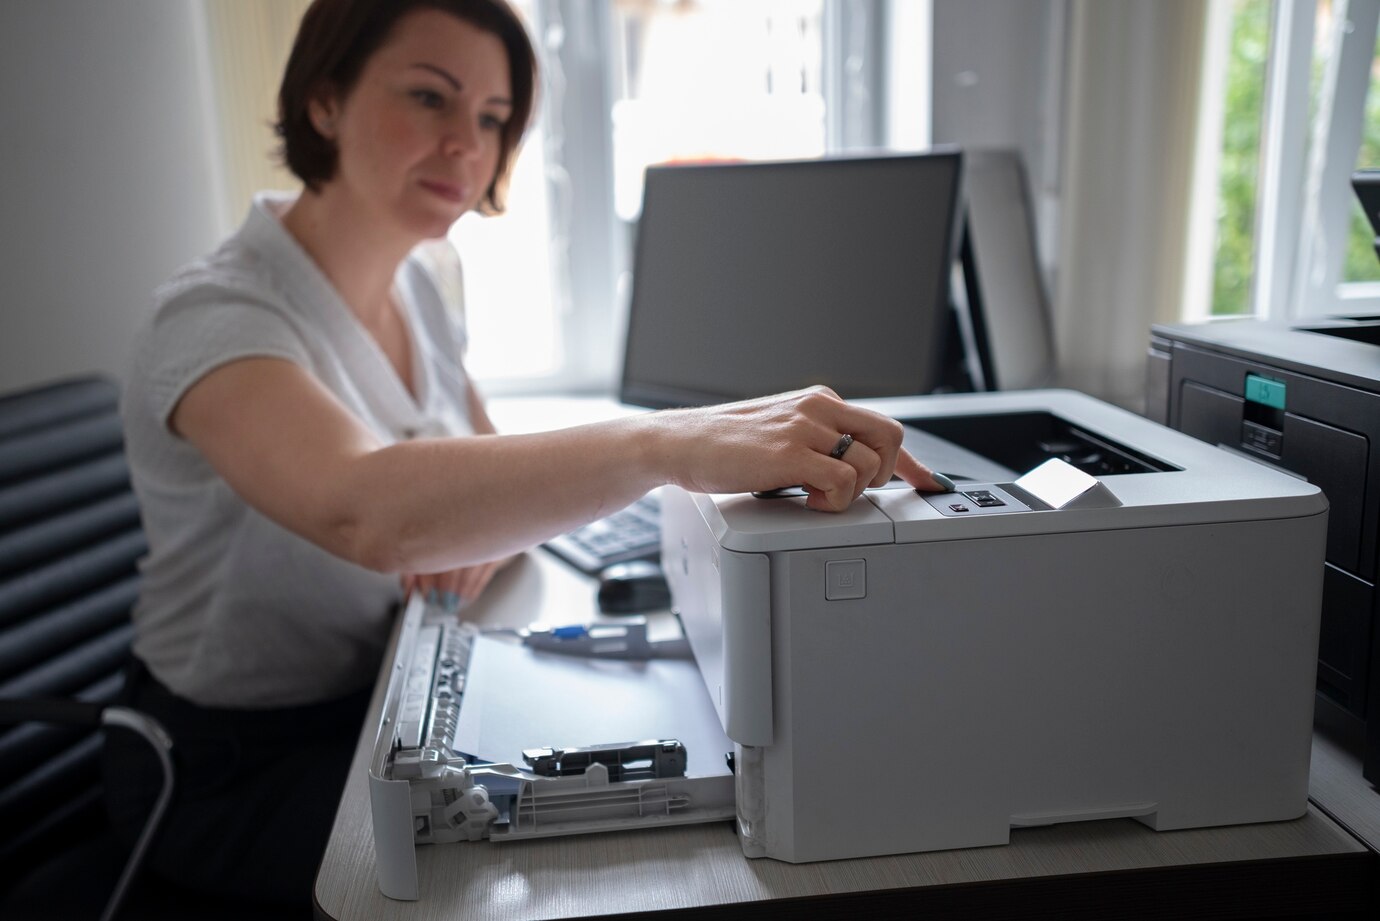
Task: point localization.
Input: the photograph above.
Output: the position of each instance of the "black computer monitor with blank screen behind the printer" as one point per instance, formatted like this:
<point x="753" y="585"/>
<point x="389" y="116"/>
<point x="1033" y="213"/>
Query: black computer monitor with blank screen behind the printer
<point x="758" y="278"/>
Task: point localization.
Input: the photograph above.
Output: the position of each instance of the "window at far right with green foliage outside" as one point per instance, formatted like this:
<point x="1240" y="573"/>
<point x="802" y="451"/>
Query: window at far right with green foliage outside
<point x="1301" y="113"/>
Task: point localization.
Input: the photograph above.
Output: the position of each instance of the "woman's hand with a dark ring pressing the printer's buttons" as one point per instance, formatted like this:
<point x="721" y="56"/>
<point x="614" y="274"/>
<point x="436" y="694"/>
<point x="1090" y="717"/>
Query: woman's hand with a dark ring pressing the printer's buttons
<point x="789" y="440"/>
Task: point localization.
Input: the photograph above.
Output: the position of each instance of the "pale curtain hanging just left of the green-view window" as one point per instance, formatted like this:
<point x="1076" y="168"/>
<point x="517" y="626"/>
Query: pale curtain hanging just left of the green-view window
<point x="1131" y="115"/>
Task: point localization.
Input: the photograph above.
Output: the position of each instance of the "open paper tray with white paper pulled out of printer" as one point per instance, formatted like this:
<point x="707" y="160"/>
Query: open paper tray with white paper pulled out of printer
<point x="517" y="698"/>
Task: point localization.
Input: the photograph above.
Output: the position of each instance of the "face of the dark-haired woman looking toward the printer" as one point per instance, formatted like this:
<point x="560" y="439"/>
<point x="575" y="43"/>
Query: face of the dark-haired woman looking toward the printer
<point x="422" y="130"/>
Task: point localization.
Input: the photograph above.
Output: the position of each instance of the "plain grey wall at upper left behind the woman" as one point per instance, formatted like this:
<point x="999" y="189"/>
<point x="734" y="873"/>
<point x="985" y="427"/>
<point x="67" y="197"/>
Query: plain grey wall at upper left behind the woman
<point x="106" y="176"/>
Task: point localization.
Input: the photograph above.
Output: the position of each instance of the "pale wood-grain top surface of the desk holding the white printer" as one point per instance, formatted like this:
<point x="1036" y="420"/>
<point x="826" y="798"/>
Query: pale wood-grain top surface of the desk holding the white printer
<point x="703" y="866"/>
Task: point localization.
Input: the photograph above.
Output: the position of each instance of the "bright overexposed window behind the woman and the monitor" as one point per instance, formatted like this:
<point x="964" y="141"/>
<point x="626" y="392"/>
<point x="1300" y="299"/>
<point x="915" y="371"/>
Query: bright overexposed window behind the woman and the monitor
<point x="627" y="84"/>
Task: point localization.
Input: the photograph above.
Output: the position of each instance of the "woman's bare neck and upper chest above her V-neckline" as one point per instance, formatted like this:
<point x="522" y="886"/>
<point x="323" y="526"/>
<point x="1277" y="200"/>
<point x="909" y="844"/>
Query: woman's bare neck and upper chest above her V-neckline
<point x="357" y="255"/>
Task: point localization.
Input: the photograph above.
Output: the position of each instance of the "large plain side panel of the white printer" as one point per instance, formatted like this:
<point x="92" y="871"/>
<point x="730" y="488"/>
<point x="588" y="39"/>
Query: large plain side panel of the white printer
<point x="976" y="686"/>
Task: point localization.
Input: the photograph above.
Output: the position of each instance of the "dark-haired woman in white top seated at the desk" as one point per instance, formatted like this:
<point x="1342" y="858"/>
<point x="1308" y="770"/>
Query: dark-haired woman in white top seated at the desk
<point x="306" y="443"/>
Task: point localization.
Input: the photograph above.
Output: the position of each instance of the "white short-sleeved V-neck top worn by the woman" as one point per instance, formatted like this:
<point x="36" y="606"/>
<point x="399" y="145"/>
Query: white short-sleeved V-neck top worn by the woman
<point x="234" y="610"/>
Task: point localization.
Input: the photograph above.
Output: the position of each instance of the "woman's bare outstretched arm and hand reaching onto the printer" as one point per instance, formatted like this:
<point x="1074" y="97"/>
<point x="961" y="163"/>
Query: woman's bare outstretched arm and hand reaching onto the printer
<point x="289" y="448"/>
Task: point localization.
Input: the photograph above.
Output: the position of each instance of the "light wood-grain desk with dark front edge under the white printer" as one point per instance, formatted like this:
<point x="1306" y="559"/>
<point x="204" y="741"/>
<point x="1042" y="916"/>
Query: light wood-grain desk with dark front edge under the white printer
<point x="1105" y="869"/>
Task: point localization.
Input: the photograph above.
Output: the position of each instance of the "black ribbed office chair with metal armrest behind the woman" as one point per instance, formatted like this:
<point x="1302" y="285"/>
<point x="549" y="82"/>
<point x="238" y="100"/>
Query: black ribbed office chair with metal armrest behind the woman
<point x="70" y="543"/>
